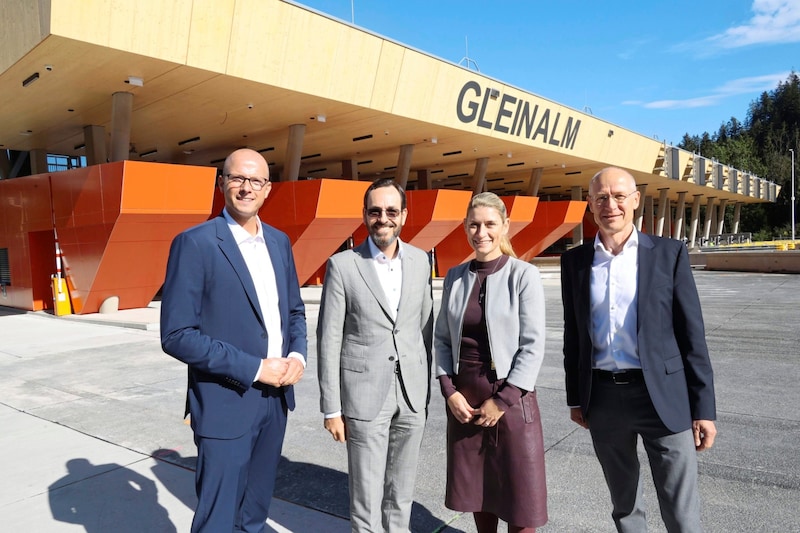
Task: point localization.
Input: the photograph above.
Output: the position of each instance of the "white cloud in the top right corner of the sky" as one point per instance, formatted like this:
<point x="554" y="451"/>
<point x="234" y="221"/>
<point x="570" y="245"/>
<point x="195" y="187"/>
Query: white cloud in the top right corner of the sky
<point x="774" y="21"/>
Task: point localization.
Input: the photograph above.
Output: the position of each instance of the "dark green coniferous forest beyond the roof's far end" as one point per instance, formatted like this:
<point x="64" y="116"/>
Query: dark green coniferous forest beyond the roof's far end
<point x="761" y="145"/>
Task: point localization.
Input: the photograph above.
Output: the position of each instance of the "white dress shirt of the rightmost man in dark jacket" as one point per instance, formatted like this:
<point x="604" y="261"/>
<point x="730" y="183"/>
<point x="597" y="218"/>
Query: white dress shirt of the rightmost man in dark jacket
<point x="613" y="306"/>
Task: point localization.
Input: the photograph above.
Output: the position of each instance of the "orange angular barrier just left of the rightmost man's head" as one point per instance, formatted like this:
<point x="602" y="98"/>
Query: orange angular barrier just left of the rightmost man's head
<point x="551" y="222"/>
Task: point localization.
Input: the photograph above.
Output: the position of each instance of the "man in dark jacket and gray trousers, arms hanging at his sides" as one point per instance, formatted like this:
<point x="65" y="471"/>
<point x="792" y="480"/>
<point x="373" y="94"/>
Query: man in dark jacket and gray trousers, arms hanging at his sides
<point x="636" y="359"/>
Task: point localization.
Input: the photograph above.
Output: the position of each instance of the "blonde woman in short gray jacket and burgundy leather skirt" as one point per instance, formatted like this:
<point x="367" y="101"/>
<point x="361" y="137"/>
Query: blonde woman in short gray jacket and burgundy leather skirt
<point x="489" y="344"/>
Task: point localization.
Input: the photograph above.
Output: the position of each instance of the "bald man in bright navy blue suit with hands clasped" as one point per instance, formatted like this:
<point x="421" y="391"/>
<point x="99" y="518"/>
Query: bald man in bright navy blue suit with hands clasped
<point x="231" y="310"/>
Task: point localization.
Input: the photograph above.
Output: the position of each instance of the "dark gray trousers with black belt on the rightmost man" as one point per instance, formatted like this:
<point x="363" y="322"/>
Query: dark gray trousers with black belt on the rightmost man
<point x="618" y="415"/>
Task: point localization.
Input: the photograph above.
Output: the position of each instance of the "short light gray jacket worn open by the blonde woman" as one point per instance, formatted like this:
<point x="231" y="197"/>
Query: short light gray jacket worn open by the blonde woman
<point x="514" y="321"/>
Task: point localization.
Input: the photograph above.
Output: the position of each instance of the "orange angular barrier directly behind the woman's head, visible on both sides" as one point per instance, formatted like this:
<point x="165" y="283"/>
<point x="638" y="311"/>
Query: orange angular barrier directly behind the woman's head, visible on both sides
<point x="455" y="249"/>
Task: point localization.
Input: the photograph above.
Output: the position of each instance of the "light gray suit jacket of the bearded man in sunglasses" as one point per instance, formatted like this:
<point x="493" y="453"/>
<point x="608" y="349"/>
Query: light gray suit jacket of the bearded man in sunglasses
<point x="358" y="341"/>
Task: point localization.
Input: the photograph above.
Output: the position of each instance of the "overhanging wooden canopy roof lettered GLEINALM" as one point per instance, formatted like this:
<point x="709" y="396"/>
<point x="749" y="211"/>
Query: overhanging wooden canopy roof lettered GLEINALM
<point x="225" y="74"/>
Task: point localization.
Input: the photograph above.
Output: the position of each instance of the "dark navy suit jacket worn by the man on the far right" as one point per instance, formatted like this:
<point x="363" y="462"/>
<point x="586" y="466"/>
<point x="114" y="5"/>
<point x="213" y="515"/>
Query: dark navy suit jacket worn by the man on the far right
<point x="670" y="332"/>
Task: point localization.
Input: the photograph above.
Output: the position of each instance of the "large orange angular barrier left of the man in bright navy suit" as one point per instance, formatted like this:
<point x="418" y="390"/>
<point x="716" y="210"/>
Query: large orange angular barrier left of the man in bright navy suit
<point x="115" y="223"/>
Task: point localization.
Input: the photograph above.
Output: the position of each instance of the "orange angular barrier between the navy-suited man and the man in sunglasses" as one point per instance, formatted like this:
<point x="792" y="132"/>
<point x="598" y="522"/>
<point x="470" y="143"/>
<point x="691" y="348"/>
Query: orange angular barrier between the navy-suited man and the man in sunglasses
<point x="318" y="216"/>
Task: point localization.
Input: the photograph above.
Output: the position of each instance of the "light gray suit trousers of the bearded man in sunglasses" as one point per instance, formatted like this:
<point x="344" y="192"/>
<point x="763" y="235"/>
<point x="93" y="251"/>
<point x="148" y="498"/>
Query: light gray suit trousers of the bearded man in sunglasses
<point x="382" y="456"/>
